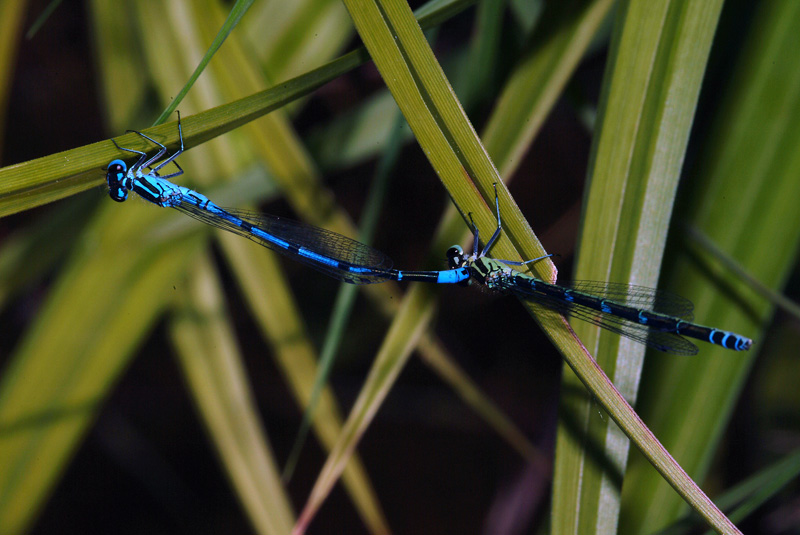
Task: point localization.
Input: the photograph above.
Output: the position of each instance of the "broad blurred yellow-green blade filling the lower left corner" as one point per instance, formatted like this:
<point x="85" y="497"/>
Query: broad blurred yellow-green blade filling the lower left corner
<point x="66" y="363"/>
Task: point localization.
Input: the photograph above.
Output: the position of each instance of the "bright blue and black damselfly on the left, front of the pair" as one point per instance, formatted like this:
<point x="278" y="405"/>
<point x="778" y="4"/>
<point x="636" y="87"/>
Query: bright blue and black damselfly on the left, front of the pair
<point x="336" y="255"/>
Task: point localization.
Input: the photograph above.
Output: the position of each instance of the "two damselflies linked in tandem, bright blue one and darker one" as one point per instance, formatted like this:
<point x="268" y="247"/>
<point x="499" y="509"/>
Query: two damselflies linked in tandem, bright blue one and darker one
<point x="652" y="317"/>
